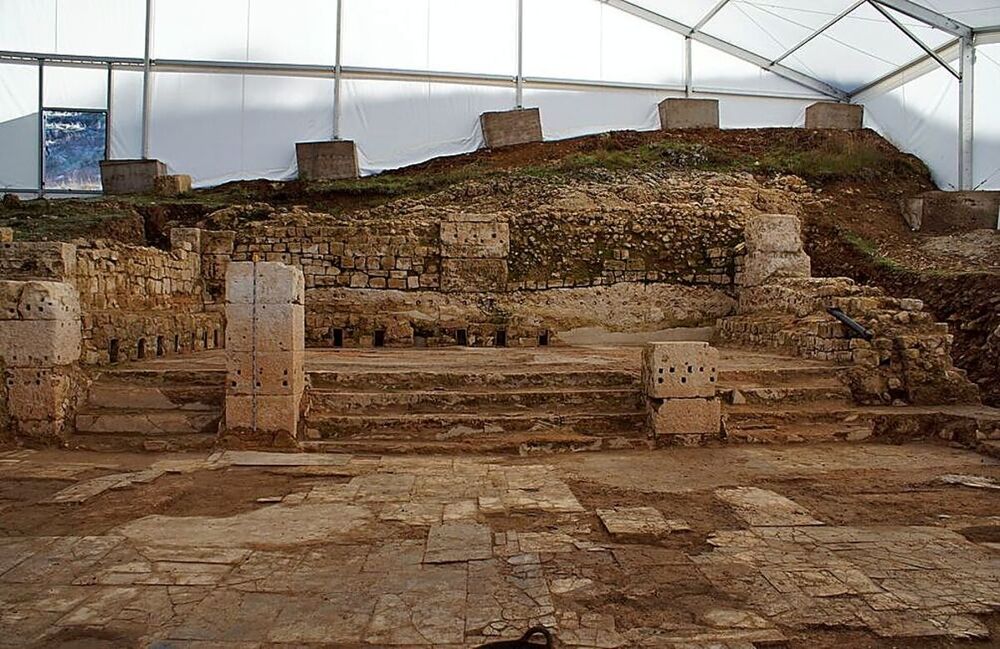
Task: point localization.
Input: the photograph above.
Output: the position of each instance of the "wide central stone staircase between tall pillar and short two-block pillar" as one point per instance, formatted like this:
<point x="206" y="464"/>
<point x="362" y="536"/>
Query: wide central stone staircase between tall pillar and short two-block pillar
<point x="454" y="410"/>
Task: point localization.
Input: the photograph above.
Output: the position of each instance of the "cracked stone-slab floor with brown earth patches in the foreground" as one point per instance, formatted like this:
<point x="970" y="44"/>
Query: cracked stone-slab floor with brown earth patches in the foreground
<point x="859" y="545"/>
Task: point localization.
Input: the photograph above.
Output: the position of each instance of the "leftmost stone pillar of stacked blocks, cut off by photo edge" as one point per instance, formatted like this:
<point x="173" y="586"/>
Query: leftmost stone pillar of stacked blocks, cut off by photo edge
<point x="40" y="342"/>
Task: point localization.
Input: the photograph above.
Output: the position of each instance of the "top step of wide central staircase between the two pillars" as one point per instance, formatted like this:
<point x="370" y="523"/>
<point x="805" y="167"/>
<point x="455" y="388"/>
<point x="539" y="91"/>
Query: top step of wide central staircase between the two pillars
<point x="470" y="380"/>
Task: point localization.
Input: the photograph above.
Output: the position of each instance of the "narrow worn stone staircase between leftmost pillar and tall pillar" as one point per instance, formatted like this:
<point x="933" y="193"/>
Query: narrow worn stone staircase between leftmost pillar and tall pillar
<point x="152" y="411"/>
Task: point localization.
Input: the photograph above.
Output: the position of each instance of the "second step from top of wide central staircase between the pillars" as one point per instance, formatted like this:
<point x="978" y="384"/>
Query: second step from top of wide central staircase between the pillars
<point x="330" y="402"/>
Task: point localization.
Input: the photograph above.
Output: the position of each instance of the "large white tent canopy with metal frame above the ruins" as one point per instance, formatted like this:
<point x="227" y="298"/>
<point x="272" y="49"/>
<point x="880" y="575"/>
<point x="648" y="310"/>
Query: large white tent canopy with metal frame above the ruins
<point x="223" y="89"/>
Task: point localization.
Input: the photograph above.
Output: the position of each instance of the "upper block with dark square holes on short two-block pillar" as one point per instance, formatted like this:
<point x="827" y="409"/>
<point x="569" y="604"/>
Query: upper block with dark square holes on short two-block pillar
<point x="680" y="370"/>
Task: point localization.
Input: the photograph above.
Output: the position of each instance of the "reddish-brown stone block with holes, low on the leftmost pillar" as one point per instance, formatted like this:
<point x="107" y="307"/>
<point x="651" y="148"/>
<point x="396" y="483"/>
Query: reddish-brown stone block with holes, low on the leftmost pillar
<point x="38" y="394"/>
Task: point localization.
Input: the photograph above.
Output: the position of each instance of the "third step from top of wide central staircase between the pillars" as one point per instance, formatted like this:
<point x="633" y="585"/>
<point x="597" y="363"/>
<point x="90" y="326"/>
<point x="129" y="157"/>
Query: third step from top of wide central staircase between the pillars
<point x="462" y="427"/>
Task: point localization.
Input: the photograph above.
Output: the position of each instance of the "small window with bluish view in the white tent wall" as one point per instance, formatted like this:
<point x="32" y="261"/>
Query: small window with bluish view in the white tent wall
<point x="75" y="144"/>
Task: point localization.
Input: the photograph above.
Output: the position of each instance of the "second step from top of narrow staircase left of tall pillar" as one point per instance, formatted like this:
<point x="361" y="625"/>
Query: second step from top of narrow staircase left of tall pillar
<point x="113" y="396"/>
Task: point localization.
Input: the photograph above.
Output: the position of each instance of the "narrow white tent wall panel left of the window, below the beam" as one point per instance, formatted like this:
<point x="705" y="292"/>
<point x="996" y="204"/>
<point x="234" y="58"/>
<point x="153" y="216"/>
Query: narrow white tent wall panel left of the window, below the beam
<point x="18" y="126"/>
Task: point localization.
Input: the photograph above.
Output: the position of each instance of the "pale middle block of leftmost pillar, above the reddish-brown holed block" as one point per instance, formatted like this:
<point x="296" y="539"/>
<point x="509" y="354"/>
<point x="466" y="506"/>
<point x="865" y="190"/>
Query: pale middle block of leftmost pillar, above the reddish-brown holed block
<point x="39" y="343"/>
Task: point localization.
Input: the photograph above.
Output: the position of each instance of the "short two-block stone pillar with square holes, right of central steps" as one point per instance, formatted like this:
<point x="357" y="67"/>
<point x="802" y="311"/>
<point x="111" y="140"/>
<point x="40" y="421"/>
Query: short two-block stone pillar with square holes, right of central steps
<point x="679" y="379"/>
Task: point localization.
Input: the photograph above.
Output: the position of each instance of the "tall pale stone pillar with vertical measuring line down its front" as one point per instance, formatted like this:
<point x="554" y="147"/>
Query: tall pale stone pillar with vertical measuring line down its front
<point x="265" y="342"/>
